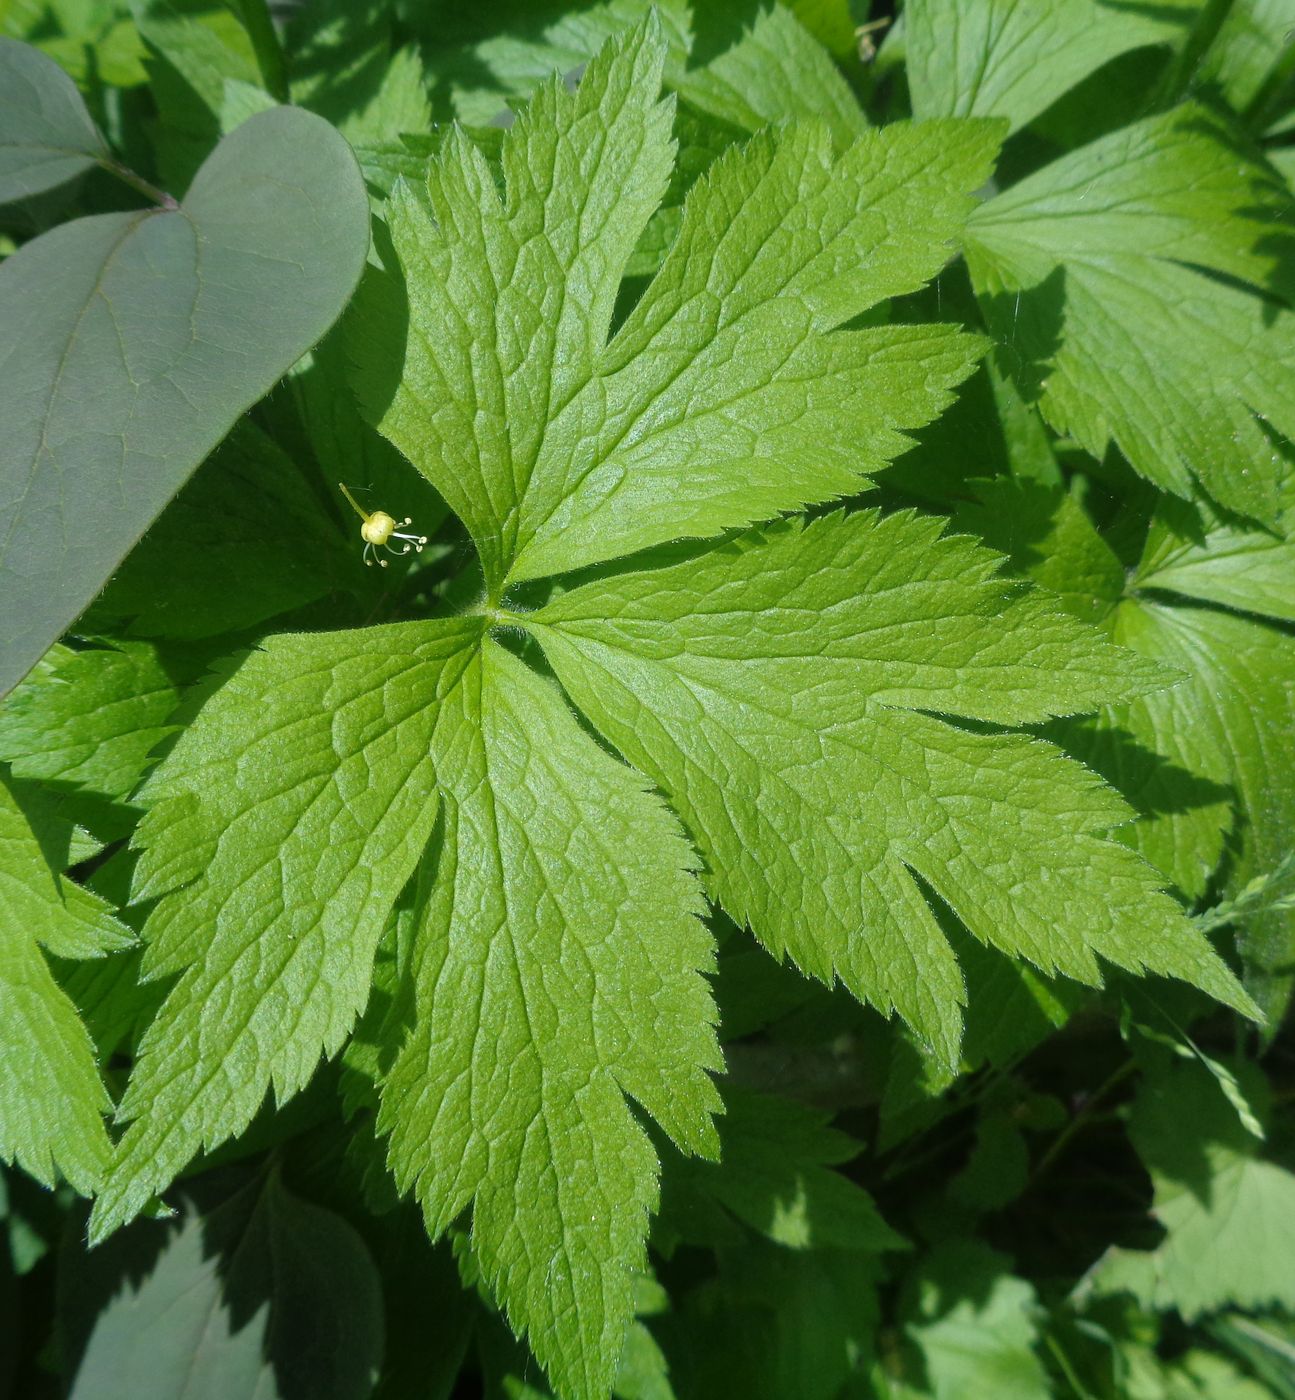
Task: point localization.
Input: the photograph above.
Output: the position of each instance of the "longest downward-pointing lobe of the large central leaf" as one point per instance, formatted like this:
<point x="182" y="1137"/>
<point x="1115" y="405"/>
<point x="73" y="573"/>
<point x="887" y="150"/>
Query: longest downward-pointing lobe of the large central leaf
<point x="558" y="971"/>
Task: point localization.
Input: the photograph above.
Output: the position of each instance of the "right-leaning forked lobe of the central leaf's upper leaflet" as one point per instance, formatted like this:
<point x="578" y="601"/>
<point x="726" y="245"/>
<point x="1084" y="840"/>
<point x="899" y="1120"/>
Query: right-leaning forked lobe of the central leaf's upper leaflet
<point x="726" y="394"/>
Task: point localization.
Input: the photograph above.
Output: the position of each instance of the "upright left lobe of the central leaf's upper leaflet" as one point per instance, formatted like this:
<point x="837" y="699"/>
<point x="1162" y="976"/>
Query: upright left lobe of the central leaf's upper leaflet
<point x="496" y="286"/>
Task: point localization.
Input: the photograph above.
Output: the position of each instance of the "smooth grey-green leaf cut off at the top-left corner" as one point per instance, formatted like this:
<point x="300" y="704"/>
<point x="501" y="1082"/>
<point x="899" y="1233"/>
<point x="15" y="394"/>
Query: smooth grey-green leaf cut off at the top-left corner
<point x="47" y="136"/>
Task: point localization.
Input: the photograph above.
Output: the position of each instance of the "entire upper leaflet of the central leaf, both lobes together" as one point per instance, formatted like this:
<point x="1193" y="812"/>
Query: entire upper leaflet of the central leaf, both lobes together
<point x="727" y="395"/>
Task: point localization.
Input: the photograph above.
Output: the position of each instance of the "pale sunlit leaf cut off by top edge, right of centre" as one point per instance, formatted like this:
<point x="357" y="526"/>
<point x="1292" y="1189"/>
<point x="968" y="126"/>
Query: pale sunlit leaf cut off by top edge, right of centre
<point x="997" y="58"/>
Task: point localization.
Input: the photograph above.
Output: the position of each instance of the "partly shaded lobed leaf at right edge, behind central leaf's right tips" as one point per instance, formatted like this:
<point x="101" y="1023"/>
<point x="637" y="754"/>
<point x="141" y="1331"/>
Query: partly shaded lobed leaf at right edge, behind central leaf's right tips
<point x="1213" y="754"/>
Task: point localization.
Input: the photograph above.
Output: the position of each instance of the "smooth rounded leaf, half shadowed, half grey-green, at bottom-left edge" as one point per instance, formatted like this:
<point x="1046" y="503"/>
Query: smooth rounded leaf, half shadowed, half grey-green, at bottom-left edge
<point x="267" y="1297"/>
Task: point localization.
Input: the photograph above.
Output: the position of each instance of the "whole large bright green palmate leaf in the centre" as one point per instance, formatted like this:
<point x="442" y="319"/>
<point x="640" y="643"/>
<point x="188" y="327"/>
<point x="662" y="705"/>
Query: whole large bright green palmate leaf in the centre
<point x="785" y="691"/>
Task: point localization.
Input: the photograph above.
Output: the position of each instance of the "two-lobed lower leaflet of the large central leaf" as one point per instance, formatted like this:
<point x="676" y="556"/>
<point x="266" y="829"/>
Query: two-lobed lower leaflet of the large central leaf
<point x="558" y="964"/>
